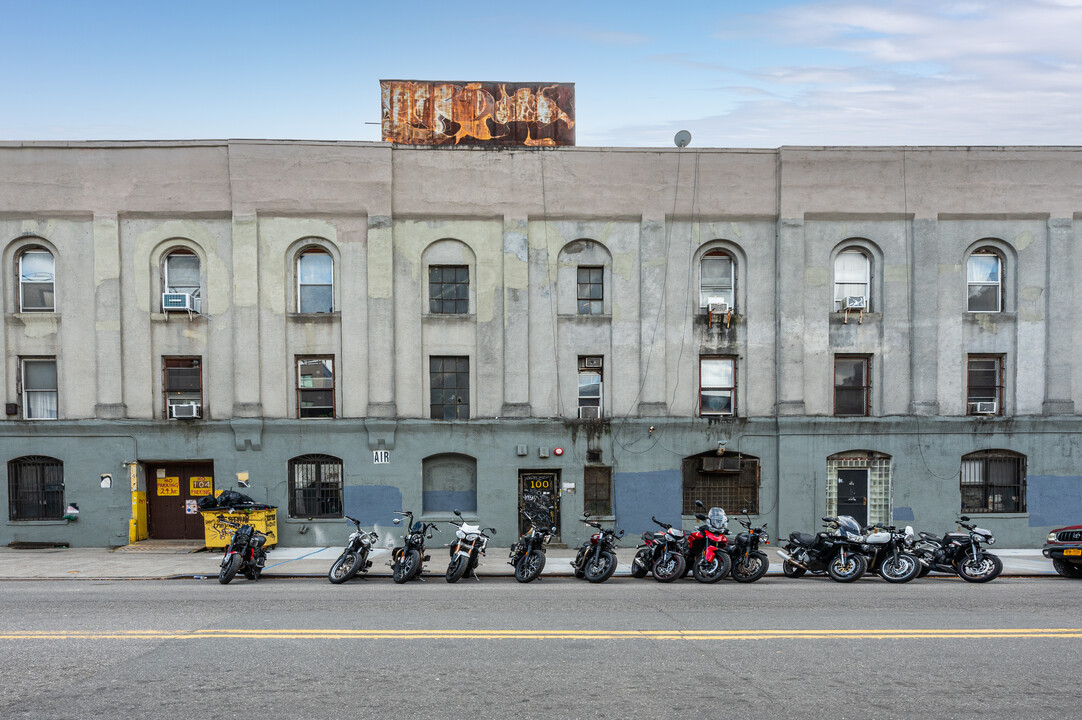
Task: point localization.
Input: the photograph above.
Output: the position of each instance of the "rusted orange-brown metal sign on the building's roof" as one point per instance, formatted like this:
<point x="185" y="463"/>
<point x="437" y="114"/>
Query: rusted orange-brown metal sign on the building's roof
<point x="521" y="114"/>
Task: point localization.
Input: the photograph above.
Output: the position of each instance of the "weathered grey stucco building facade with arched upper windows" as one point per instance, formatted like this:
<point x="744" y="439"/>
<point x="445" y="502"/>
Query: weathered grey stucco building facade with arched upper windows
<point x="362" y="329"/>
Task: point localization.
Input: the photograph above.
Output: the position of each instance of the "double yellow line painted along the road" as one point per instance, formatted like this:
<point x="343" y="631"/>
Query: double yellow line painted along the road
<point x="919" y="634"/>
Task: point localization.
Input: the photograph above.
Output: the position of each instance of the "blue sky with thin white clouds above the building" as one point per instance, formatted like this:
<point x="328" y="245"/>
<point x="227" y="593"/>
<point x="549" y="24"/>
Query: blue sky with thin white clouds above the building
<point x="759" y="74"/>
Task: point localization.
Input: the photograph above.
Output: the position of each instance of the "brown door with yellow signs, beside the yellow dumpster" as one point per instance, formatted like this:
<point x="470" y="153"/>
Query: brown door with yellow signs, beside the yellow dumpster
<point x="173" y="491"/>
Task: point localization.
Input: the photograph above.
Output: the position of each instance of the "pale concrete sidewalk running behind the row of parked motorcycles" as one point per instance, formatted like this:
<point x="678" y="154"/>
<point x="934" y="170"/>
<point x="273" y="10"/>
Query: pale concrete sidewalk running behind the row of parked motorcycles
<point x="163" y="560"/>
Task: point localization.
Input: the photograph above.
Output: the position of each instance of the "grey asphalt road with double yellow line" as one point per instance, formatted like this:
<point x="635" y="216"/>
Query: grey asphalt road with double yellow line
<point x="555" y="649"/>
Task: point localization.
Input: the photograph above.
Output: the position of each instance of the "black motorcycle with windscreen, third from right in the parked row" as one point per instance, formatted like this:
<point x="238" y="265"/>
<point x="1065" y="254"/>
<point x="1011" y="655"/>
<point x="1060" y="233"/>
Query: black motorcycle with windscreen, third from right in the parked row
<point x="836" y="553"/>
